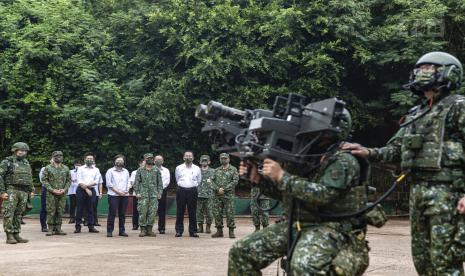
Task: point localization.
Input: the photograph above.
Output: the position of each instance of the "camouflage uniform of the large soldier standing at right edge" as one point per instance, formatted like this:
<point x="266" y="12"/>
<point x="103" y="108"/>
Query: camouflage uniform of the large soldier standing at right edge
<point x="431" y="152"/>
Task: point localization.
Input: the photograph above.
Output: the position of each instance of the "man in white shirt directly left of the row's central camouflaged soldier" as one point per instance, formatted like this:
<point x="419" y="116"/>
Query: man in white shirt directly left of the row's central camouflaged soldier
<point x="117" y="180"/>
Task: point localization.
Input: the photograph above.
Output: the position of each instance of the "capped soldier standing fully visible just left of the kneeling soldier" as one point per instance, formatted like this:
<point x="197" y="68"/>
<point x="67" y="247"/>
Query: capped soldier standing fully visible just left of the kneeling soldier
<point x="224" y="182"/>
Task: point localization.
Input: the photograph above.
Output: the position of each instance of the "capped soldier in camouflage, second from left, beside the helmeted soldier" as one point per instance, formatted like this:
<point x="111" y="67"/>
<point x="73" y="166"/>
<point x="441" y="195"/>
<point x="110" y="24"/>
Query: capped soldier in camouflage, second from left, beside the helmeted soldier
<point x="56" y="180"/>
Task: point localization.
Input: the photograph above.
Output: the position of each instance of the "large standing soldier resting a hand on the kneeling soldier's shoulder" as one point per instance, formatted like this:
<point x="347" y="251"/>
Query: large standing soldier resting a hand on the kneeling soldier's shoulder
<point x="429" y="147"/>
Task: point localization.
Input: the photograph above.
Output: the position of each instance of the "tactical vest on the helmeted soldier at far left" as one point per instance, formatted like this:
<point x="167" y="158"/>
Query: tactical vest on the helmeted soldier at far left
<point x="19" y="173"/>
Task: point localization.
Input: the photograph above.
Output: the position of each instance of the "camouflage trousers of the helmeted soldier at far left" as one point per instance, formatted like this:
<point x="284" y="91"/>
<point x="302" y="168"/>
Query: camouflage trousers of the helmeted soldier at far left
<point x="13" y="208"/>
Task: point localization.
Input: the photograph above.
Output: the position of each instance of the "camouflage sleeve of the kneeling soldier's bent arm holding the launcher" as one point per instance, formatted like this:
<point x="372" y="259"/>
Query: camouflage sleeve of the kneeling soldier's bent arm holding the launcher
<point x="334" y="180"/>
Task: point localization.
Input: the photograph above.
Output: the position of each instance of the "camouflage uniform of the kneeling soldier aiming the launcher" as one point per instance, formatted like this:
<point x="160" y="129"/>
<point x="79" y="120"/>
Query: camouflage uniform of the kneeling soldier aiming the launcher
<point x="325" y="247"/>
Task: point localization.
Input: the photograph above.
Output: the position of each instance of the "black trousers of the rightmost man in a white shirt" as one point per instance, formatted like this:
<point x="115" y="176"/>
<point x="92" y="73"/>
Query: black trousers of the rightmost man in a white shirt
<point x="186" y="197"/>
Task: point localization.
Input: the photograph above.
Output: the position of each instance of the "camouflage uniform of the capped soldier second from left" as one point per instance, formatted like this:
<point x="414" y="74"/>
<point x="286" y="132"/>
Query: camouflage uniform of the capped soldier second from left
<point x="56" y="178"/>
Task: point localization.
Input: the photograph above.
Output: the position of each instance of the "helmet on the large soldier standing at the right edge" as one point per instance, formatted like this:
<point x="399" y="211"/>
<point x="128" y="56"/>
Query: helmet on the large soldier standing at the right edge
<point x="448" y="76"/>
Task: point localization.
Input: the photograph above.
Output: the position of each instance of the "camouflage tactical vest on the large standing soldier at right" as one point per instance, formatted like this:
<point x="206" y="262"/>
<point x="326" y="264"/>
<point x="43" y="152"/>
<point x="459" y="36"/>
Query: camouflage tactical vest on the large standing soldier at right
<point x="423" y="145"/>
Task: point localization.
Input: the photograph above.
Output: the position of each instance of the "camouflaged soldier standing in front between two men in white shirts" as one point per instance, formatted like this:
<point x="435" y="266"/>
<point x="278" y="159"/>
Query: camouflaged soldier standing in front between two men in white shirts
<point x="148" y="187"/>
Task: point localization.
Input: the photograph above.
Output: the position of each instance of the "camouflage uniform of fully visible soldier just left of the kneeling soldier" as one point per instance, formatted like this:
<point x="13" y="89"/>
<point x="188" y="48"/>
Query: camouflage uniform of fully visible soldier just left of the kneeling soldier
<point x="226" y="179"/>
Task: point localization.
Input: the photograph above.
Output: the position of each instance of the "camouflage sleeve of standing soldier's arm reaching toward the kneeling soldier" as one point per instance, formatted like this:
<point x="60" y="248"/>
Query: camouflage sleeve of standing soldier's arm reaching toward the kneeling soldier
<point x="391" y="152"/>
